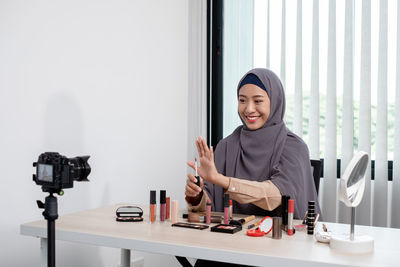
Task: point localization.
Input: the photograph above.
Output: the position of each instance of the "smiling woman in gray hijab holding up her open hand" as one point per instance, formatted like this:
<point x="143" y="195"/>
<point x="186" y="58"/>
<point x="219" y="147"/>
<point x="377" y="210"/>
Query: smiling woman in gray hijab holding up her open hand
<point x="260" y="161"/>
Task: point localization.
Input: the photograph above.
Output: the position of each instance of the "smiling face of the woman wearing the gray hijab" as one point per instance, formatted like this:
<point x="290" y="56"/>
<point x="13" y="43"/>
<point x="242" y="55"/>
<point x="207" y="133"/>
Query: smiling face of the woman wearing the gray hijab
<point x="254" y="106"/>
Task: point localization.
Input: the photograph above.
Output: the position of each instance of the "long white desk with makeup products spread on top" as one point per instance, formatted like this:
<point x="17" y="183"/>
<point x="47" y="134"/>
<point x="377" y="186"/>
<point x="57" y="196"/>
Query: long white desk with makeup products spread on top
<point x="98" y="227"/>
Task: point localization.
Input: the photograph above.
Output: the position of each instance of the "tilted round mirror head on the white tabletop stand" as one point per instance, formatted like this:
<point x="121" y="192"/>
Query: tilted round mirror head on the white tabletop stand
<point x="352" y="183"/>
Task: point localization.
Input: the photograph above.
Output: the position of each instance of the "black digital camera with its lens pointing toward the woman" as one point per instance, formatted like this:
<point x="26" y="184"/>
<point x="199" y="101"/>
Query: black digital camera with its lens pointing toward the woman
<point x="55" y="172"/>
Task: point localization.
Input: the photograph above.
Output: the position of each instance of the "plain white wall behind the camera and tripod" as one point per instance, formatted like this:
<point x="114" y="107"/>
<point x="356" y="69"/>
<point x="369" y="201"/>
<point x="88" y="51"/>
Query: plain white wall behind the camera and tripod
<point x="103" y="78"/>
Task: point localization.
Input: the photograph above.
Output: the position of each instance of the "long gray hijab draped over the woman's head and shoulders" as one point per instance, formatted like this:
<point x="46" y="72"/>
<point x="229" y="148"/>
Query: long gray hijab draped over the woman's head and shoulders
<point x="269" y="153"/>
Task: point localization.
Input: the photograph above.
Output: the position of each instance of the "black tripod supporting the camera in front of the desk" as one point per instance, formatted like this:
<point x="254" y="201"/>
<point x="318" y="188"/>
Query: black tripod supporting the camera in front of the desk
<point x="50" y="214"/>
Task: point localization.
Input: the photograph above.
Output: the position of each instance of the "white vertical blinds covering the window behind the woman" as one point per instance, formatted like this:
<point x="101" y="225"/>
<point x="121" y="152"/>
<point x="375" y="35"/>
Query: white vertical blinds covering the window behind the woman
<point x="337" y="81"/>
